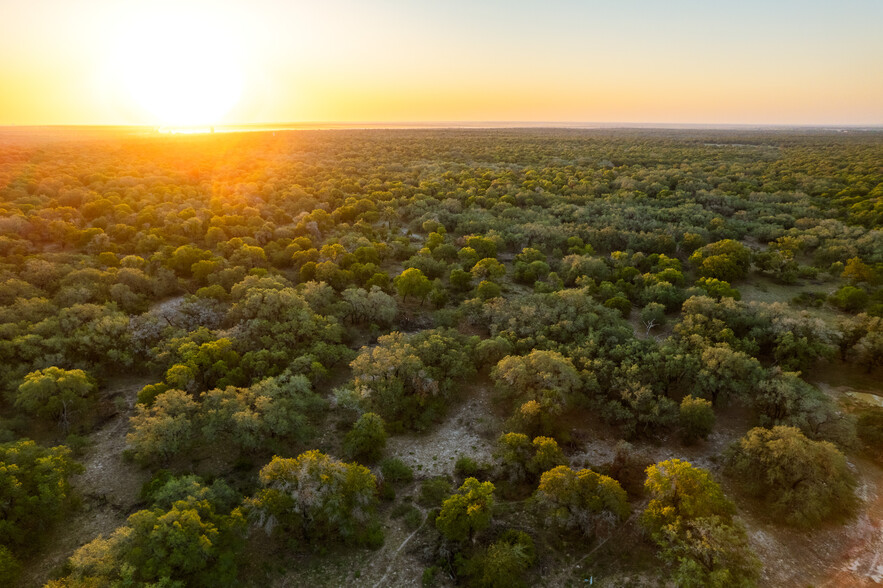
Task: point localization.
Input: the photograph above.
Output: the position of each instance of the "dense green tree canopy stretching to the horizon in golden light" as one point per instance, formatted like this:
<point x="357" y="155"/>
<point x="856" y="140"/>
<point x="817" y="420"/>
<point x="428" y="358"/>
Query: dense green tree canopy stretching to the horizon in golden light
<point x="498" y="344"/>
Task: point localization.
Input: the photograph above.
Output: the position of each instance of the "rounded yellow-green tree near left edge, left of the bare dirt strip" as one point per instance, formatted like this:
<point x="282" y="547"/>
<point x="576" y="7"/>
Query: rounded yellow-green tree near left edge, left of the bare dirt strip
<point x="64" y="395"/>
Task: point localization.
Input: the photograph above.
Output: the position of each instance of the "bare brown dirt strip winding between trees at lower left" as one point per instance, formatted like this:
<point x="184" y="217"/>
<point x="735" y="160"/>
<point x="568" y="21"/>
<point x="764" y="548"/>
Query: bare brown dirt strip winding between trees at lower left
<point x="109" y="488"/>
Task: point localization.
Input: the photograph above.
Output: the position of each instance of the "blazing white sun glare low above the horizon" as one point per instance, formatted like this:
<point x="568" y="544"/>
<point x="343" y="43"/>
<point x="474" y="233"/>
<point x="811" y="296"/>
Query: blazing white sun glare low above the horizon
<point x="182" y="69"/>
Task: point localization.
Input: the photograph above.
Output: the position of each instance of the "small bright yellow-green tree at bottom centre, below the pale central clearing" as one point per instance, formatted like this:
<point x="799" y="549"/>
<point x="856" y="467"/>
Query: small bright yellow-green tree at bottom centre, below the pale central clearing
<point x="466" y="512"/>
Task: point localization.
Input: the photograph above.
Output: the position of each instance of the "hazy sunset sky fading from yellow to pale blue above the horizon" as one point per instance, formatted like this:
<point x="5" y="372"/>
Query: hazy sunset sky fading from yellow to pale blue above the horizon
<point x="282" y="61"/>
